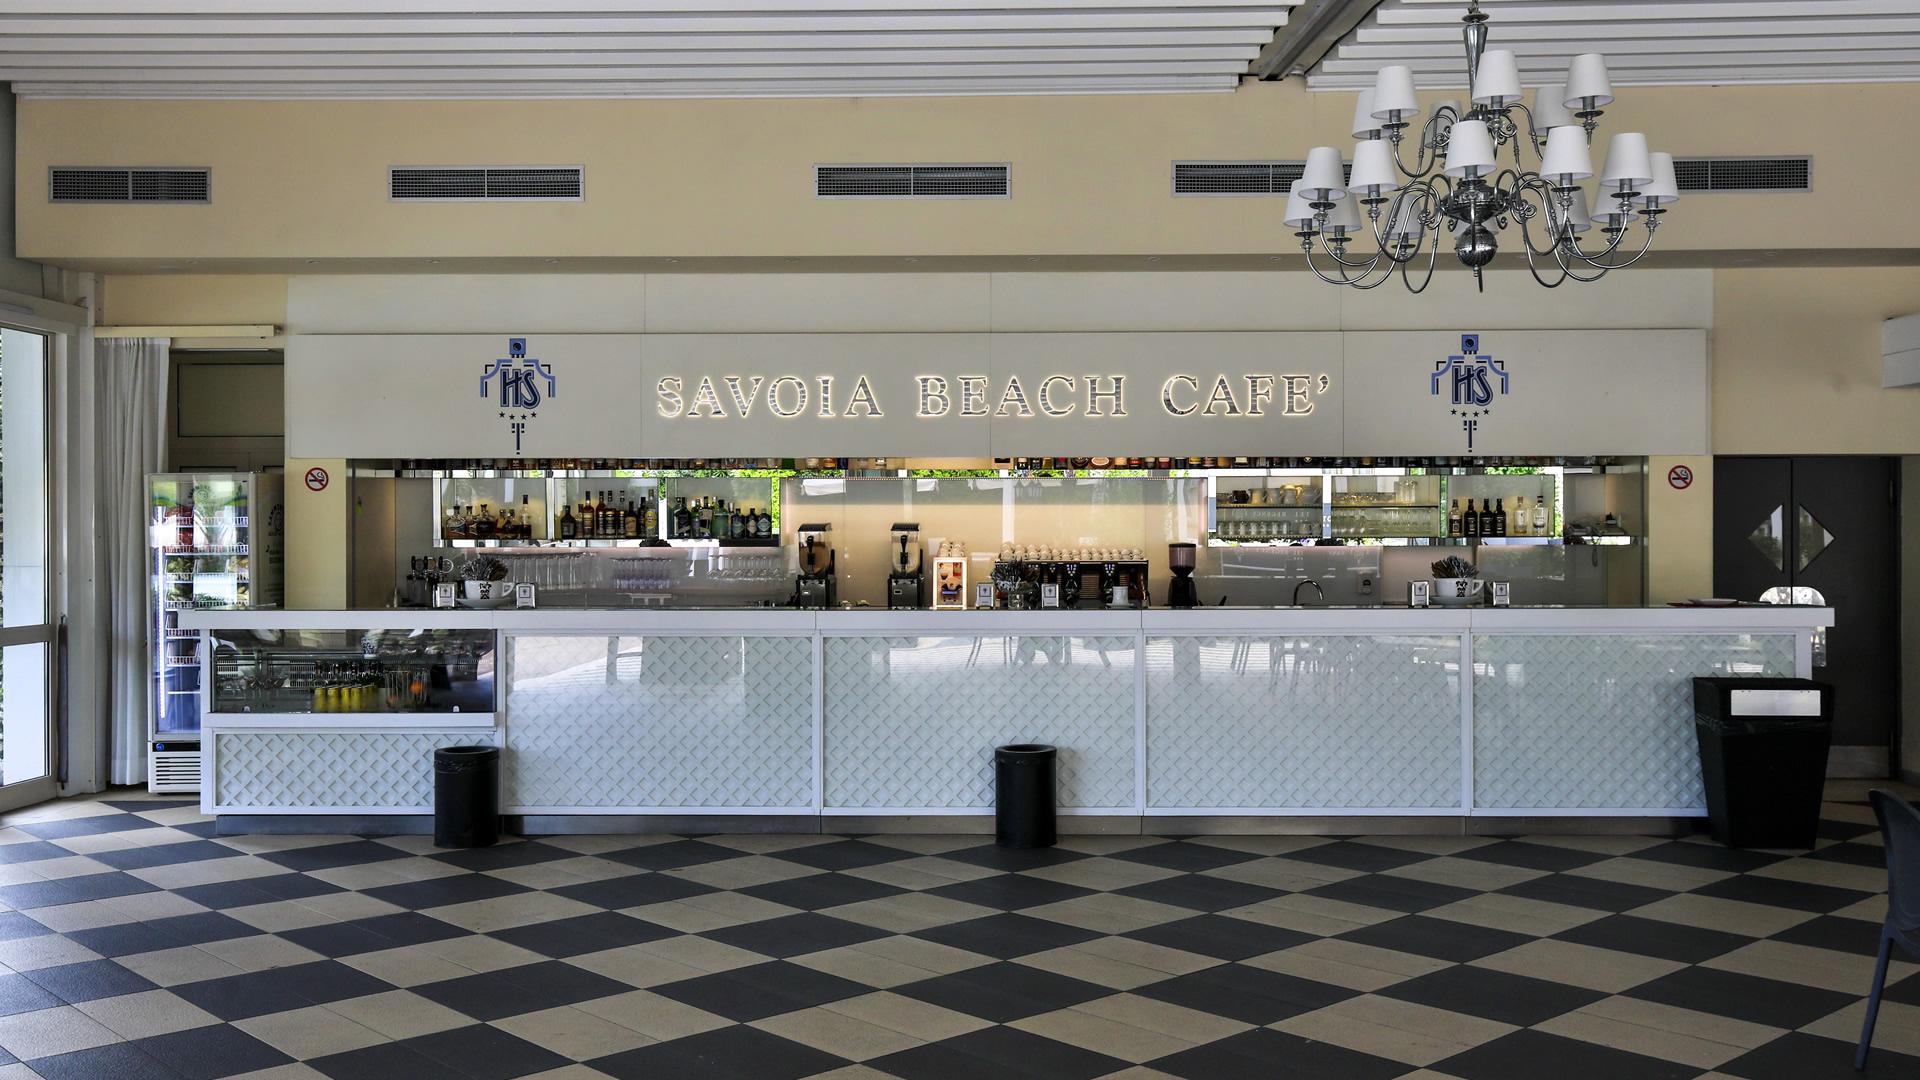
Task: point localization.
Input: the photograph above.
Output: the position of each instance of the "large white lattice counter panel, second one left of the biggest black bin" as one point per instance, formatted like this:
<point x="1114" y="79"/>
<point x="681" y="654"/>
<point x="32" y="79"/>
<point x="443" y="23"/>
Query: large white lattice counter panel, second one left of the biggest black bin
<point x="1328" y="722"/>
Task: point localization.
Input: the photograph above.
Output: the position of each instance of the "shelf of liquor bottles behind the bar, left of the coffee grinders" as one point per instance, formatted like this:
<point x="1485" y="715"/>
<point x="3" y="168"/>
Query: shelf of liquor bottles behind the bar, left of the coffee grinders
<point x="612" y="510"/>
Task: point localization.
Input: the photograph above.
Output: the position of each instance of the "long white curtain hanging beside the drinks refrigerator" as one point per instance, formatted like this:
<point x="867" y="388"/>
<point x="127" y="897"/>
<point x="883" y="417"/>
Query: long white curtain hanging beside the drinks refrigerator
<point x="132" y="383"/>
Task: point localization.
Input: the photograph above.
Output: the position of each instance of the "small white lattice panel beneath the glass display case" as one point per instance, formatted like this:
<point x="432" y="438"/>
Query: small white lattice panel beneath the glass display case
<point x="339" y="770"/>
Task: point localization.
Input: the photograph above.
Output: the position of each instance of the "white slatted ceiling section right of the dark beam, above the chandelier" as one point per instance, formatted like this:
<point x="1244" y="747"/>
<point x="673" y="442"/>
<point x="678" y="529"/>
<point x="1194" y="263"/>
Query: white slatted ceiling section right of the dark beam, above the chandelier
<point x="1644" y="41"/>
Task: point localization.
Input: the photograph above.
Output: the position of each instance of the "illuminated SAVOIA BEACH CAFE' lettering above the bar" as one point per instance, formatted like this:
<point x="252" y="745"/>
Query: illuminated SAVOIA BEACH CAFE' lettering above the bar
<point x="938" y="397"/>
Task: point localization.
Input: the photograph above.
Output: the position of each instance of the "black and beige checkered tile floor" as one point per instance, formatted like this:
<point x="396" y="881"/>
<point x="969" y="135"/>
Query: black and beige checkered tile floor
<point x="141" y="946"/>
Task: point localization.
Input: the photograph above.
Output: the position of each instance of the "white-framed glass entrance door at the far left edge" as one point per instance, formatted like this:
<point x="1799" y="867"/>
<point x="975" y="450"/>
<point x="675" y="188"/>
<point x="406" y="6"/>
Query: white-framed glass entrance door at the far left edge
<point x="26" y="574"/>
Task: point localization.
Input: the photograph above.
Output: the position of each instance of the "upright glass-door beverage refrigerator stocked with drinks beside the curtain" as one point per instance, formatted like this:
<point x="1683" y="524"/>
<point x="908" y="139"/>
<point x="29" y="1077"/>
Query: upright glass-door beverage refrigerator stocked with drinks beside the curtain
<point x="216" y="541"/>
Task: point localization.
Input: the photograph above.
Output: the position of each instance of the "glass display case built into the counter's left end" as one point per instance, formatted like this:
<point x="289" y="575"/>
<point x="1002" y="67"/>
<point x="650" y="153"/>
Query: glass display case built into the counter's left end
<point x="308" y="674"/>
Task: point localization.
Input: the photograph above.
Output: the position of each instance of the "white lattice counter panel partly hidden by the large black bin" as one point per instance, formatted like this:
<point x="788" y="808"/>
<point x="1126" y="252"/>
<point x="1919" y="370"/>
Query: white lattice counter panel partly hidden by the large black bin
<point x="1600" y="722"/>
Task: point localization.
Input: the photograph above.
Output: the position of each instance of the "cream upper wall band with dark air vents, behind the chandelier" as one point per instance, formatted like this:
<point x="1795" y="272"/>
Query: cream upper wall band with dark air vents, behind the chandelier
<point x="300" y="182"/>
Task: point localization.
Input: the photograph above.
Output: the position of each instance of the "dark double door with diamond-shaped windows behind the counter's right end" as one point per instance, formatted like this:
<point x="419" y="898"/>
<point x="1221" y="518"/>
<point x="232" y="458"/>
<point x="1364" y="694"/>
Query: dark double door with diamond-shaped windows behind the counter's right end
<point x="1823" y="524"/>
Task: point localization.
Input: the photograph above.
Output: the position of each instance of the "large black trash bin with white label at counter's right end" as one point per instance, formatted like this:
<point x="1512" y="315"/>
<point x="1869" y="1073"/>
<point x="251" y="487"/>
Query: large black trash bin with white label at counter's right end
<point x="1764" y="758"/>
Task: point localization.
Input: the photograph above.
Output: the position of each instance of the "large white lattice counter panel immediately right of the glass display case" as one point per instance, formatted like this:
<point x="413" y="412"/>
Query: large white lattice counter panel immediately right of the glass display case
<point x="661" y="722"/>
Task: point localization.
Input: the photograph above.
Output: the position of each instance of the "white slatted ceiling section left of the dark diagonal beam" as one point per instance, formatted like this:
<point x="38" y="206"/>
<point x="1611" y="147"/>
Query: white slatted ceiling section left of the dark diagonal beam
<point x="627" y="49"/>
